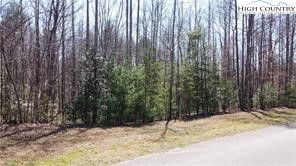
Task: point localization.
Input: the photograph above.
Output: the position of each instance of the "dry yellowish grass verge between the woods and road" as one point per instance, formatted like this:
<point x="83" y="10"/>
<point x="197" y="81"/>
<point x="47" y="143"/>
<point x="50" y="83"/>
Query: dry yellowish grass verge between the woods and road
<point x="44" y="144"/>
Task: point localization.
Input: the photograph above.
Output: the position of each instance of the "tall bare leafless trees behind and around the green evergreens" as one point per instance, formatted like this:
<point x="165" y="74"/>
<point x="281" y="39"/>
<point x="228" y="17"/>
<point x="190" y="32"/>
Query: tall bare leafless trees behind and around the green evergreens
<point x="43" y="45"/>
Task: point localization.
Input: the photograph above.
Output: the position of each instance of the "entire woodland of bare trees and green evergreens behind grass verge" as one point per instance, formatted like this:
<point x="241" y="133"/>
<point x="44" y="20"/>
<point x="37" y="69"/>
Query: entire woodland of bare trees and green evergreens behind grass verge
<point x="118" y="61"/>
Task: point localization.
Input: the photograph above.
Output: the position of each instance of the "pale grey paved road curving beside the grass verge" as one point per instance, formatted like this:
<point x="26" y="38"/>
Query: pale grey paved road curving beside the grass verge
<point x="272" y="146"/>
